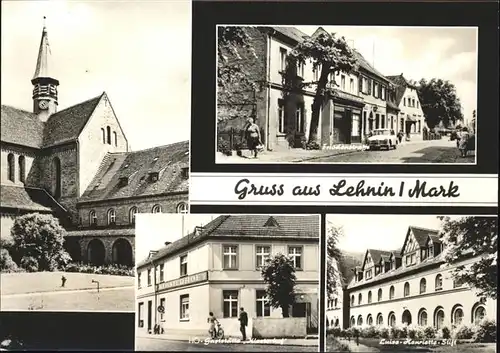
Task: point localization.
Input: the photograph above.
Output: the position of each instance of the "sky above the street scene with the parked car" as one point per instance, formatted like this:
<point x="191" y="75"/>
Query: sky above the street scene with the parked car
<point x="449" y="53"/>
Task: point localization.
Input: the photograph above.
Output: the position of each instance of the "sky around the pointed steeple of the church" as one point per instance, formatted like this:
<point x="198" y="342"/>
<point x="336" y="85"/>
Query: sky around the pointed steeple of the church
<point x="139" y="52"/>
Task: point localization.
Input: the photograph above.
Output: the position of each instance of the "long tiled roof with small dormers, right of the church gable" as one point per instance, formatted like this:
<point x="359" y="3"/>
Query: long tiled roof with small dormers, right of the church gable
<point x="135" y="168"/>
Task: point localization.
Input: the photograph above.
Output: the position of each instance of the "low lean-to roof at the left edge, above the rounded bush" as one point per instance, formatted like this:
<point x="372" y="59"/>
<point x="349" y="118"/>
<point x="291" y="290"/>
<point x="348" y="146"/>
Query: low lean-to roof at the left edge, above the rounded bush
<point x="28" y="198"/>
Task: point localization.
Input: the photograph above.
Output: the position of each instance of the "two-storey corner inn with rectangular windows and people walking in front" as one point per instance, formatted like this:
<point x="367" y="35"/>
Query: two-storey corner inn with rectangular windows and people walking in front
<point x="217" y="268"/>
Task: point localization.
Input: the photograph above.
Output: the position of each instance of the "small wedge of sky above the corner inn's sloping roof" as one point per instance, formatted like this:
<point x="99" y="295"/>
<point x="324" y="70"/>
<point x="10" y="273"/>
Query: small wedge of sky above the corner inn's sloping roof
<point x="153" y="230"/>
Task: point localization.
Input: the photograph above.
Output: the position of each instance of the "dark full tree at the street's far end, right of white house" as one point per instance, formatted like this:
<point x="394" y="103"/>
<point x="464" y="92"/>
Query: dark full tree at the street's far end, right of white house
<point x="439" y="102"/>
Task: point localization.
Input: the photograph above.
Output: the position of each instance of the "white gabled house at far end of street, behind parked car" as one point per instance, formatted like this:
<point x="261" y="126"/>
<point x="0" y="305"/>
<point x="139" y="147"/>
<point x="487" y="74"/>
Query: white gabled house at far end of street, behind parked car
<point x="411" y="119"/>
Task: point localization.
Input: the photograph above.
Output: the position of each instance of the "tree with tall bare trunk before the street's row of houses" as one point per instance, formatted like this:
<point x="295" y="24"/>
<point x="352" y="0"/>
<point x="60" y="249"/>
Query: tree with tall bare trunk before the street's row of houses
<point x="328" y="54"/>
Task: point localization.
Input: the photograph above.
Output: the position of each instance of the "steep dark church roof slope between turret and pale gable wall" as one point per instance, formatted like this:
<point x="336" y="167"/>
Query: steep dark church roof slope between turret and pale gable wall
<point x="67" y="124"/>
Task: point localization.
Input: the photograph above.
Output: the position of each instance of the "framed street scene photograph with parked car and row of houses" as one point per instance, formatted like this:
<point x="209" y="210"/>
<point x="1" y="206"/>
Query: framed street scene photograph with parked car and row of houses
<point x="346" y="94"/>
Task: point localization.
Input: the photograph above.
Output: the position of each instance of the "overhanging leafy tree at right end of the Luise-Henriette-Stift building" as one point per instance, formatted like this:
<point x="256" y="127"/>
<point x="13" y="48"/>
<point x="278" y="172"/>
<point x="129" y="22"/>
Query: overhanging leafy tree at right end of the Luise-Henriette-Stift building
<point x="474" y="237"/>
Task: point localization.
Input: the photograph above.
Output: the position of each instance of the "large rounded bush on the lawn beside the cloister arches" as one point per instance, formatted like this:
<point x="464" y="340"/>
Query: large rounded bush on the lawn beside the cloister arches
<point x="40" y="237"/>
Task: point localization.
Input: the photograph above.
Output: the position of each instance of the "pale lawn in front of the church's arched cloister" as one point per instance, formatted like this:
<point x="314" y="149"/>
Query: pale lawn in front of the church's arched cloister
<point x="43" y="291"/>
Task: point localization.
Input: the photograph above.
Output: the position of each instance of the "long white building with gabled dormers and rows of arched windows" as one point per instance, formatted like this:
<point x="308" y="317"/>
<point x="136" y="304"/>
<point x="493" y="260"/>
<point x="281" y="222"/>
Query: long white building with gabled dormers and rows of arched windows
<point x="411" y="286"/>
